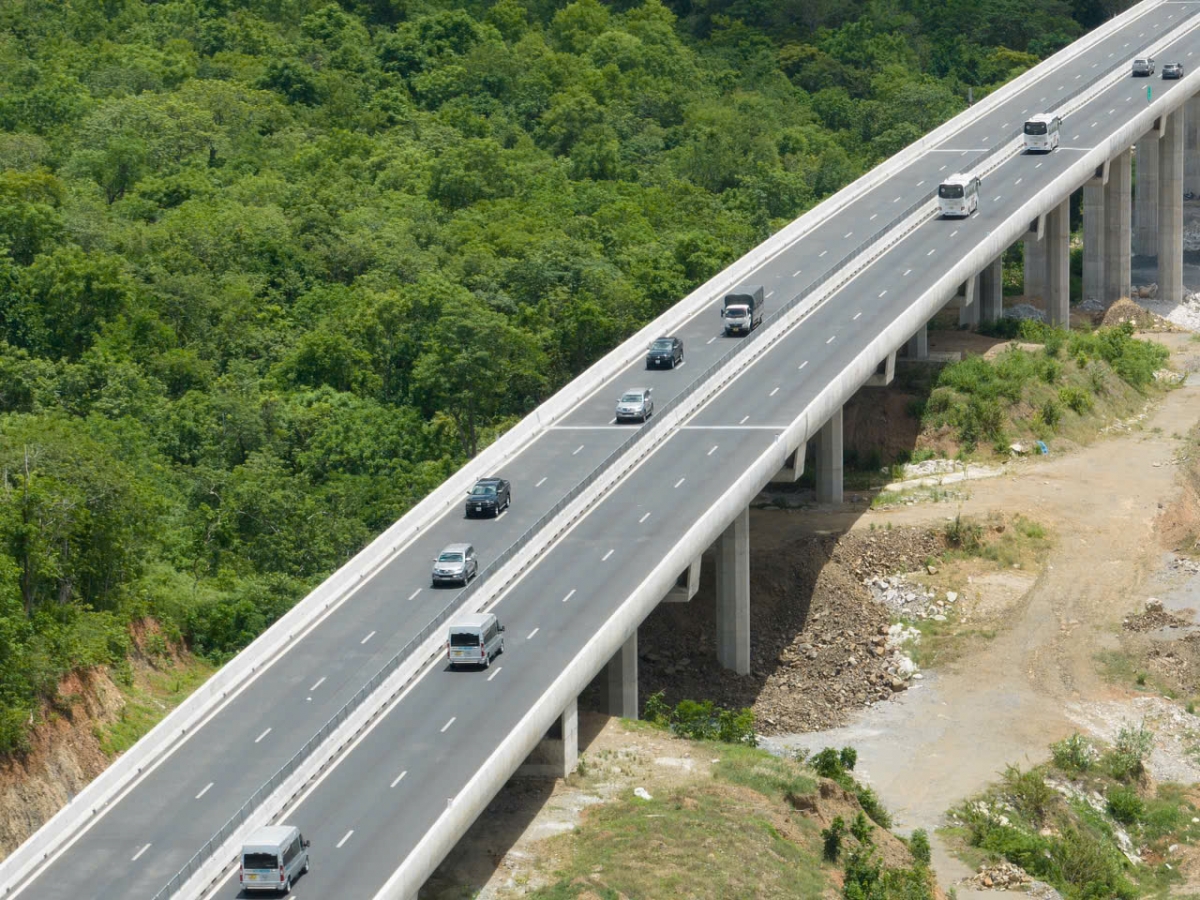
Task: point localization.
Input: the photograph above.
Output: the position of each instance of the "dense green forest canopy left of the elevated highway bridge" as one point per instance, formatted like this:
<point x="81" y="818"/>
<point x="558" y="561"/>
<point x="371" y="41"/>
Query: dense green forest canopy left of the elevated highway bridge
<point x="272" y="269"/>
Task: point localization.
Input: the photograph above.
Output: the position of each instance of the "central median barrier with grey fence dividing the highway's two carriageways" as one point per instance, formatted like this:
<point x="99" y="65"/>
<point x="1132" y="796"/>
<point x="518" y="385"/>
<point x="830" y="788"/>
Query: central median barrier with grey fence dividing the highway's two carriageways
<point x="285" y="772"/>
